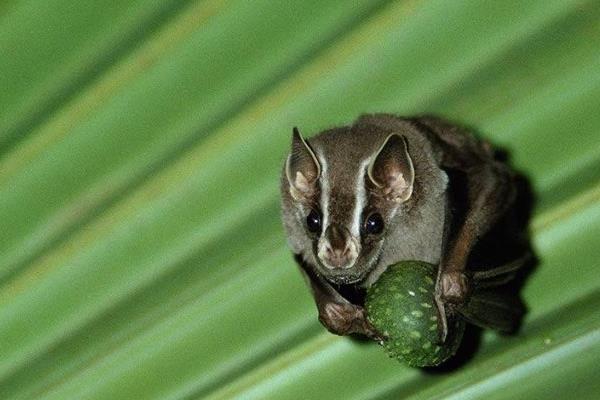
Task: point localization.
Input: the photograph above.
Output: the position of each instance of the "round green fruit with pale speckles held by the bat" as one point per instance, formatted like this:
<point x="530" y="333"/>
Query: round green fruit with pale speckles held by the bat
<point x="401" y="305"/>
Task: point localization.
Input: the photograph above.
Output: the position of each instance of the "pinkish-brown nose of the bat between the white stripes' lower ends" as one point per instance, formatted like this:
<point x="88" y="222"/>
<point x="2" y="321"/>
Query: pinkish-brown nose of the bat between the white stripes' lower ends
<point x="337" y="250"/>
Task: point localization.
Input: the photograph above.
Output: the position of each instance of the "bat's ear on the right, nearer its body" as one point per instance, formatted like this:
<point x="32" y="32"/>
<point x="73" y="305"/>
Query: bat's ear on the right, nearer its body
<point x="392" y="171"/>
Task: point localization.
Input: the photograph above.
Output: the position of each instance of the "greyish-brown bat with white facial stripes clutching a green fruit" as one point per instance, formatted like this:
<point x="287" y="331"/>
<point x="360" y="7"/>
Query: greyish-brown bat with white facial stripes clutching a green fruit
<point x="356" y="199"/>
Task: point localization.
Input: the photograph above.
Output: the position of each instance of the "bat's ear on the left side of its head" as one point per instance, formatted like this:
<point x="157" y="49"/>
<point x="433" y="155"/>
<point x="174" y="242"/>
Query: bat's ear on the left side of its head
<point x="302" y="168"/>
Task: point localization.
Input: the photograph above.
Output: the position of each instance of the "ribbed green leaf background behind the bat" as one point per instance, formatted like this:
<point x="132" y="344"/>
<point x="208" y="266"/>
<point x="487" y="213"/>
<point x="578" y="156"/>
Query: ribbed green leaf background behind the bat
<point x="141" y="252"/>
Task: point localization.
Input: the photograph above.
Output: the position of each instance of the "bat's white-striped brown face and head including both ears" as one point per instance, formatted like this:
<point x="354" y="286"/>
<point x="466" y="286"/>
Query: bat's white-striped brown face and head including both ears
<point x="339" y="196"/>
